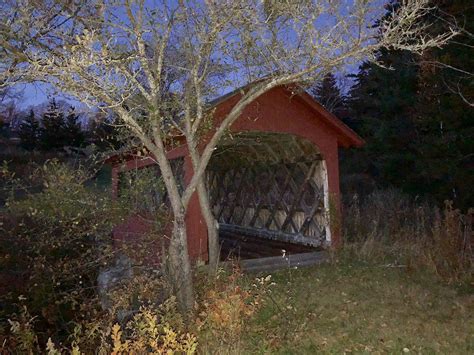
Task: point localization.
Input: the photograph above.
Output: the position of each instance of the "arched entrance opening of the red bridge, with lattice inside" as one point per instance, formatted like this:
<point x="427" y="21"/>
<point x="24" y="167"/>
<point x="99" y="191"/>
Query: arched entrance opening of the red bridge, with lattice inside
<point x="268" y="192"/>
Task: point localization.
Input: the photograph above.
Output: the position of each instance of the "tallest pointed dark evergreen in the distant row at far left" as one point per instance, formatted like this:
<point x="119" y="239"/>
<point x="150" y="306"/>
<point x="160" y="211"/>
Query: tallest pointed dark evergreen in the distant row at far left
<point x="52" y="131"/>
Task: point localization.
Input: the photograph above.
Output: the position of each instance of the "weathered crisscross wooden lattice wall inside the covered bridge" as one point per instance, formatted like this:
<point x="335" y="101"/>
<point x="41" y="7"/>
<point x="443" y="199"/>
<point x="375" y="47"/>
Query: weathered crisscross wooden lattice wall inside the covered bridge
<point x="279" y="201"/>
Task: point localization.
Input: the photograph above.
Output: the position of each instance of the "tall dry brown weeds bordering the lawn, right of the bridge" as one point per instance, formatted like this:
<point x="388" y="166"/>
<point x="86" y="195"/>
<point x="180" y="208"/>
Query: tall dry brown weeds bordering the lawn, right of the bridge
<point x="390" y="225"/>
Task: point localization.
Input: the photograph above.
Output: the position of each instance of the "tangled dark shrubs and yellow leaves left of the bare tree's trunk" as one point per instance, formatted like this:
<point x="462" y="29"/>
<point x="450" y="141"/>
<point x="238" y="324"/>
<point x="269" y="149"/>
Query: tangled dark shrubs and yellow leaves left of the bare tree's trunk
<point x="56" y="238"/>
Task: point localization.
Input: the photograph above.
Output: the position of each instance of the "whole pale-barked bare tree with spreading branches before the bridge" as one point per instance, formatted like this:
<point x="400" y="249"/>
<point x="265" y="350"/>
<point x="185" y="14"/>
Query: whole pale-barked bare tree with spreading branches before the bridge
<point x="167" y="60"/>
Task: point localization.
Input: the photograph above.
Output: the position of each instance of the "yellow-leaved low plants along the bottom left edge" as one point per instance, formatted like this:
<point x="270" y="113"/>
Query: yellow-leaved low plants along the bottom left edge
<point x="148" y="331"/>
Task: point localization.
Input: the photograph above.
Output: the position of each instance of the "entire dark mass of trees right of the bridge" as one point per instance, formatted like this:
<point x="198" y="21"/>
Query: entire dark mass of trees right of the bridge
<point x="416" y="115"/>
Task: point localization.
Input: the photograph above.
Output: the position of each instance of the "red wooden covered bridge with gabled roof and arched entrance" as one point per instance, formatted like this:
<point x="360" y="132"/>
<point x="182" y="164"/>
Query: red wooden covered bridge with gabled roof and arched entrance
<point x="272" y="183"/>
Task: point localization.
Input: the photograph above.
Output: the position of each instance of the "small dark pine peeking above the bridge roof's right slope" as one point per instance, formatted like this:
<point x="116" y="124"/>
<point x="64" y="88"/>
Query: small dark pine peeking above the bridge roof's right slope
<point x="329" y="95"/>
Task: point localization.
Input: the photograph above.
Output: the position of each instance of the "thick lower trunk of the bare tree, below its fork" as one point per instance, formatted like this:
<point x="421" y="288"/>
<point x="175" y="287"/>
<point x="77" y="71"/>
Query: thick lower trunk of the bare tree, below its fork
<point x="180" y="267"/>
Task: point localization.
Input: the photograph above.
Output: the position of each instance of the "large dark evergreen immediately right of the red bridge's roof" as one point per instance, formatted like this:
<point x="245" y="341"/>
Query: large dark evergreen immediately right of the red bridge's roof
<point x="381" y="104"/>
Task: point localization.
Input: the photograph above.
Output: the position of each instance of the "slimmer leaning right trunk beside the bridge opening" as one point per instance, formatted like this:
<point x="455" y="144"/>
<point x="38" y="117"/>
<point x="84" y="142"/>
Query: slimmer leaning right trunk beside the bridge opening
<point x="211" y="223"/>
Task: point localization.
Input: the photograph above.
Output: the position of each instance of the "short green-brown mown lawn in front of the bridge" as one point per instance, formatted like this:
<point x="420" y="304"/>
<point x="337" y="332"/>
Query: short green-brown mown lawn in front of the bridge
<point x="361" y="308"/>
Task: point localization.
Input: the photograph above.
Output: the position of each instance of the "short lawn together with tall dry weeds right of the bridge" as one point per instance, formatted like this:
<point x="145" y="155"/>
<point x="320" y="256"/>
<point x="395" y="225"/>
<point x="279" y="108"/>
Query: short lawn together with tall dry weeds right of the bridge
<point x="402" y="283"/>
